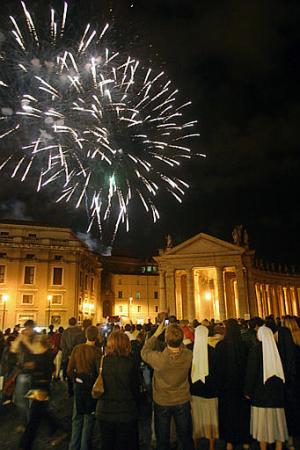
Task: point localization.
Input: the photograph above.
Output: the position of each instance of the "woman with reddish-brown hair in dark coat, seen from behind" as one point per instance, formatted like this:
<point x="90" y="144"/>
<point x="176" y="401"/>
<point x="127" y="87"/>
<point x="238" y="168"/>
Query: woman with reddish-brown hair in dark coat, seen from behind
<point x="117" y="409"/>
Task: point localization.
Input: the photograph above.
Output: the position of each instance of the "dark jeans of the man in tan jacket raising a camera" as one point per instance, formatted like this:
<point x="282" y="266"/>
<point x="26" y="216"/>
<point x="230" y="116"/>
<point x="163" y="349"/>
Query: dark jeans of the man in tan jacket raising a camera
<point x="183" y="421"/>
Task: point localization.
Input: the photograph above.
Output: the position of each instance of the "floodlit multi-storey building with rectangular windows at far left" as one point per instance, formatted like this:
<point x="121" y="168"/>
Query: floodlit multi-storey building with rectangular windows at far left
<point x="46" y="274"/>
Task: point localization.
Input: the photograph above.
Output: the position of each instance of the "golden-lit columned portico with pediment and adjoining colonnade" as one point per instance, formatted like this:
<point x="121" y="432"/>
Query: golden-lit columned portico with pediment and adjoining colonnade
<point x="206" y="277"/>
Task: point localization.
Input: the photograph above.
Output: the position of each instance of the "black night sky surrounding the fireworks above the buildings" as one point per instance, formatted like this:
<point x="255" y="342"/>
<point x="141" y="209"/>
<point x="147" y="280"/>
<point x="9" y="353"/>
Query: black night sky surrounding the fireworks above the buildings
<point x="238" y="61"/>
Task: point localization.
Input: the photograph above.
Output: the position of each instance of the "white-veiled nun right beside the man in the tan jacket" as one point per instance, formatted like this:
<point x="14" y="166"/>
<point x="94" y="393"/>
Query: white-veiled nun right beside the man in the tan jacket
<point x="204" y="401"/>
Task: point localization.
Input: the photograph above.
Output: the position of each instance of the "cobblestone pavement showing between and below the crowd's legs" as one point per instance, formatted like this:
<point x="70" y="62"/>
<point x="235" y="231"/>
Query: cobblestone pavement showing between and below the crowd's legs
<point x="61" y="406"/>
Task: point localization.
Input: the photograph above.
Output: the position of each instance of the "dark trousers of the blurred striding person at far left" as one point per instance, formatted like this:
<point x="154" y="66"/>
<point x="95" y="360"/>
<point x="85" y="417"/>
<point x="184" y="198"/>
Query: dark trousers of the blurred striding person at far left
<point x="38" y="411"/>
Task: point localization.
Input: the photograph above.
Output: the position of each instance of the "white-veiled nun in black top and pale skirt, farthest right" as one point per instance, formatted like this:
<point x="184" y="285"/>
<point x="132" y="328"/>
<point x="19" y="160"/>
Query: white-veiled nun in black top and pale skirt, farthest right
<point x="264" y="386"/>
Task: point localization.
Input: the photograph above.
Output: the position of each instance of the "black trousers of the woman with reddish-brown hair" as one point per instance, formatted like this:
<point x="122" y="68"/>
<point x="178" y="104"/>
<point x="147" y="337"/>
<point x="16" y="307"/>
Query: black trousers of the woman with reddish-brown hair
<point x="119" y="435"/>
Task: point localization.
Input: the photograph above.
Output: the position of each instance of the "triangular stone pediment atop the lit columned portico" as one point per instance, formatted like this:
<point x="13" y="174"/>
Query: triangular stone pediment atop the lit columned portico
<point x="204" y="244"/>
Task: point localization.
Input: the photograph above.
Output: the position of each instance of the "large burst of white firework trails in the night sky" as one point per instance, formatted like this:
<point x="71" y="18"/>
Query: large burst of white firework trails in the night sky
<point x="92" y="122"/>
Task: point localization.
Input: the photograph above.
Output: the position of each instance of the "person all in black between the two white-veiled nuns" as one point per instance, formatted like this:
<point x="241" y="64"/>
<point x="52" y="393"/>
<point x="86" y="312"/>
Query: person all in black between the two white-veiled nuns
<point x="234" y="408"/>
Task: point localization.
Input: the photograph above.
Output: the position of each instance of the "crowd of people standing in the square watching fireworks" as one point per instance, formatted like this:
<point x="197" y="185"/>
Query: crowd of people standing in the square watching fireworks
<point x="237" y="381"/>
